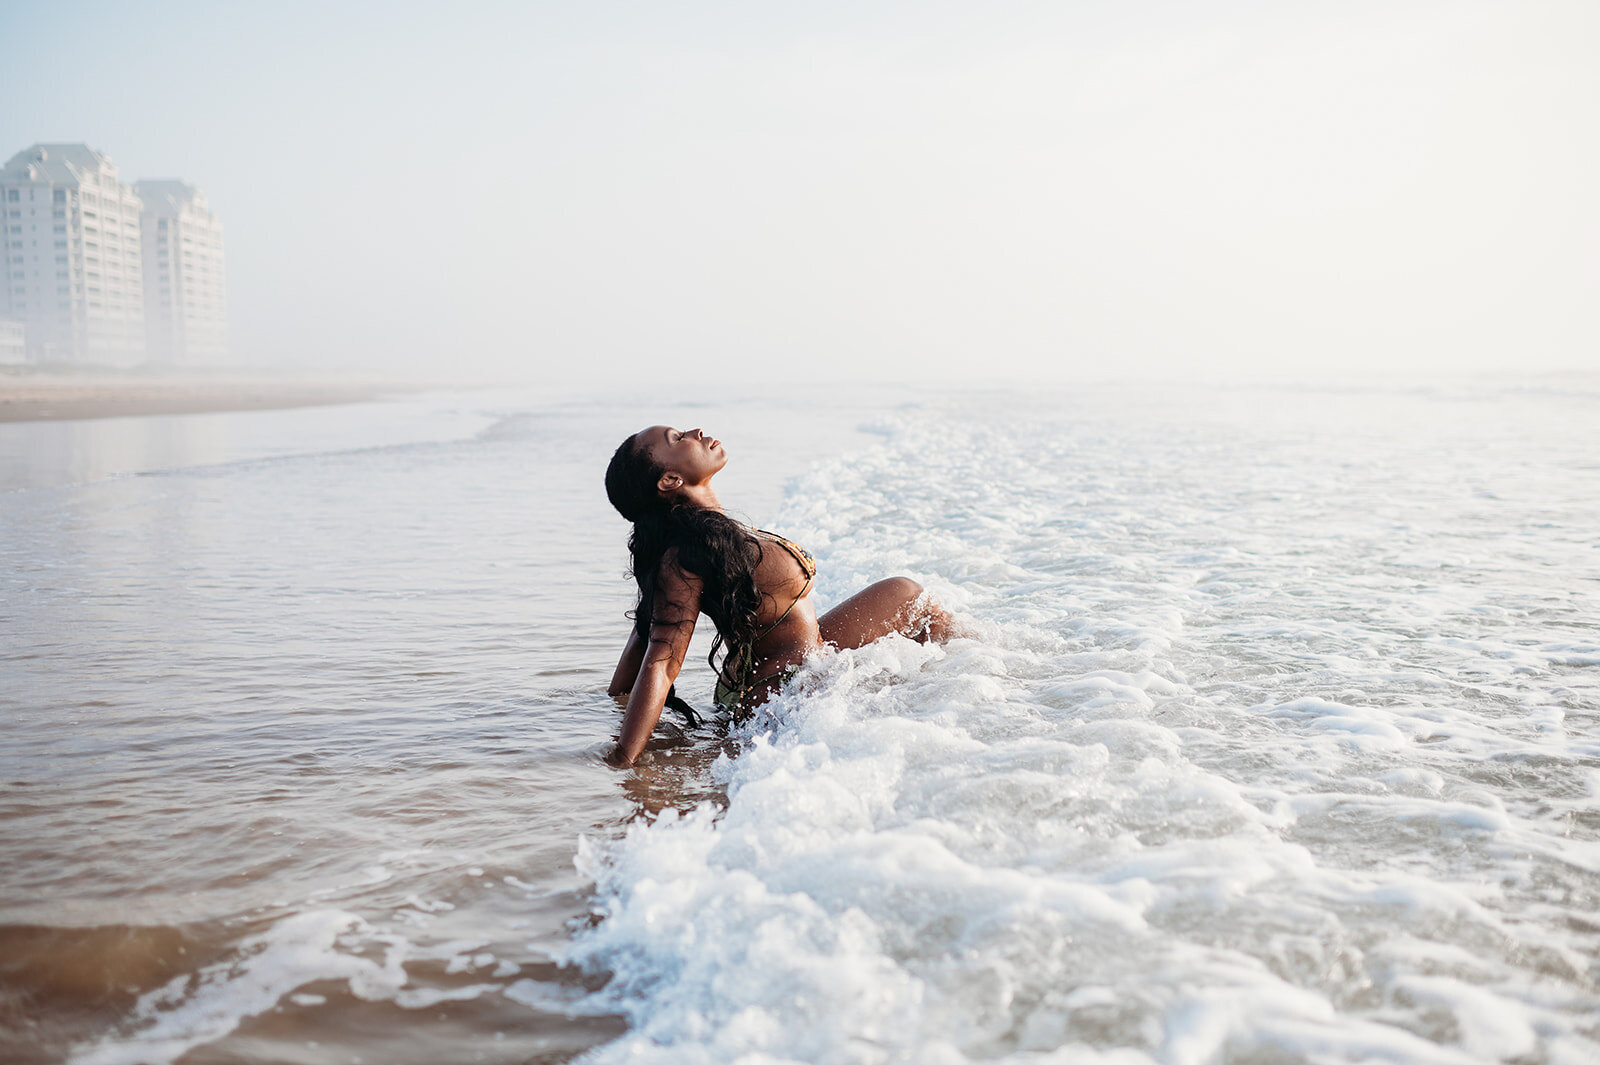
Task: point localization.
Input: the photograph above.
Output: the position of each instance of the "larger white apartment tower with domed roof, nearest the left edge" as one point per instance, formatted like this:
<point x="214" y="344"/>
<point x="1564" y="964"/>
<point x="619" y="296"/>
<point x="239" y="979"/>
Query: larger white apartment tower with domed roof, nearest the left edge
<point x="71" y="247"/>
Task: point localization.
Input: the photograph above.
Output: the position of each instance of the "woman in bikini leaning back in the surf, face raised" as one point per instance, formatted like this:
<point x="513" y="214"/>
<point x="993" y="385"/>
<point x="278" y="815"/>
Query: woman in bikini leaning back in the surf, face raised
<point x="692" y="559"/>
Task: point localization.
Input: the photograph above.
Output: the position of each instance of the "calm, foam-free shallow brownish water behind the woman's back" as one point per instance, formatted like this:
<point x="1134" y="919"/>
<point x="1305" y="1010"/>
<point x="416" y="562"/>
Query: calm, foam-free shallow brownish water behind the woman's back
<point x="300" y="724"/>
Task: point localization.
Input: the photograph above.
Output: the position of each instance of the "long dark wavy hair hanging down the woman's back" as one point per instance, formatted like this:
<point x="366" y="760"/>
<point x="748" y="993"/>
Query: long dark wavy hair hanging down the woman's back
<point x="710" y="544"/>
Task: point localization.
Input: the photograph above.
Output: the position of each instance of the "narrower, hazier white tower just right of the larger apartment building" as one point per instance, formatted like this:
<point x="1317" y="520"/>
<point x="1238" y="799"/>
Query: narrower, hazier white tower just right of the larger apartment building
<point x="185" y="284"/>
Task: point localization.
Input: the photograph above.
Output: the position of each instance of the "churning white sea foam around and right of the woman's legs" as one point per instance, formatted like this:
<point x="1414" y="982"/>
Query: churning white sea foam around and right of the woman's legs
<point x="1236" y="725"/>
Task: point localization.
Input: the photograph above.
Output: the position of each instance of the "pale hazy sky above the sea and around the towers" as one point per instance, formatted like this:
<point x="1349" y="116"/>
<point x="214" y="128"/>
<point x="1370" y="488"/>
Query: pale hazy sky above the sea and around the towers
<point x="870" y="189"/>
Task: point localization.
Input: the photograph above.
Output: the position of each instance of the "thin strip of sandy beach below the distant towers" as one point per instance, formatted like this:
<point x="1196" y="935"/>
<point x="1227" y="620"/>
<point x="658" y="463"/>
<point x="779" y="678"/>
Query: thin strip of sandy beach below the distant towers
<point x="33" y="397"/>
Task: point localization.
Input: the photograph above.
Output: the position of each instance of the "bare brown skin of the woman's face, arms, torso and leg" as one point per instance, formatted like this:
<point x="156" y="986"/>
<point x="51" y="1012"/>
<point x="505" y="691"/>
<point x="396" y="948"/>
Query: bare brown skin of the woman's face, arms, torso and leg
<point x="647" y="671"/>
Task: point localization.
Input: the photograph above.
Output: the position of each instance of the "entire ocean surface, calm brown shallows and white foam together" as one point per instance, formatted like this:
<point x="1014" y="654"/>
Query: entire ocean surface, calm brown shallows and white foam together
<point x="1276" y="738"/>
